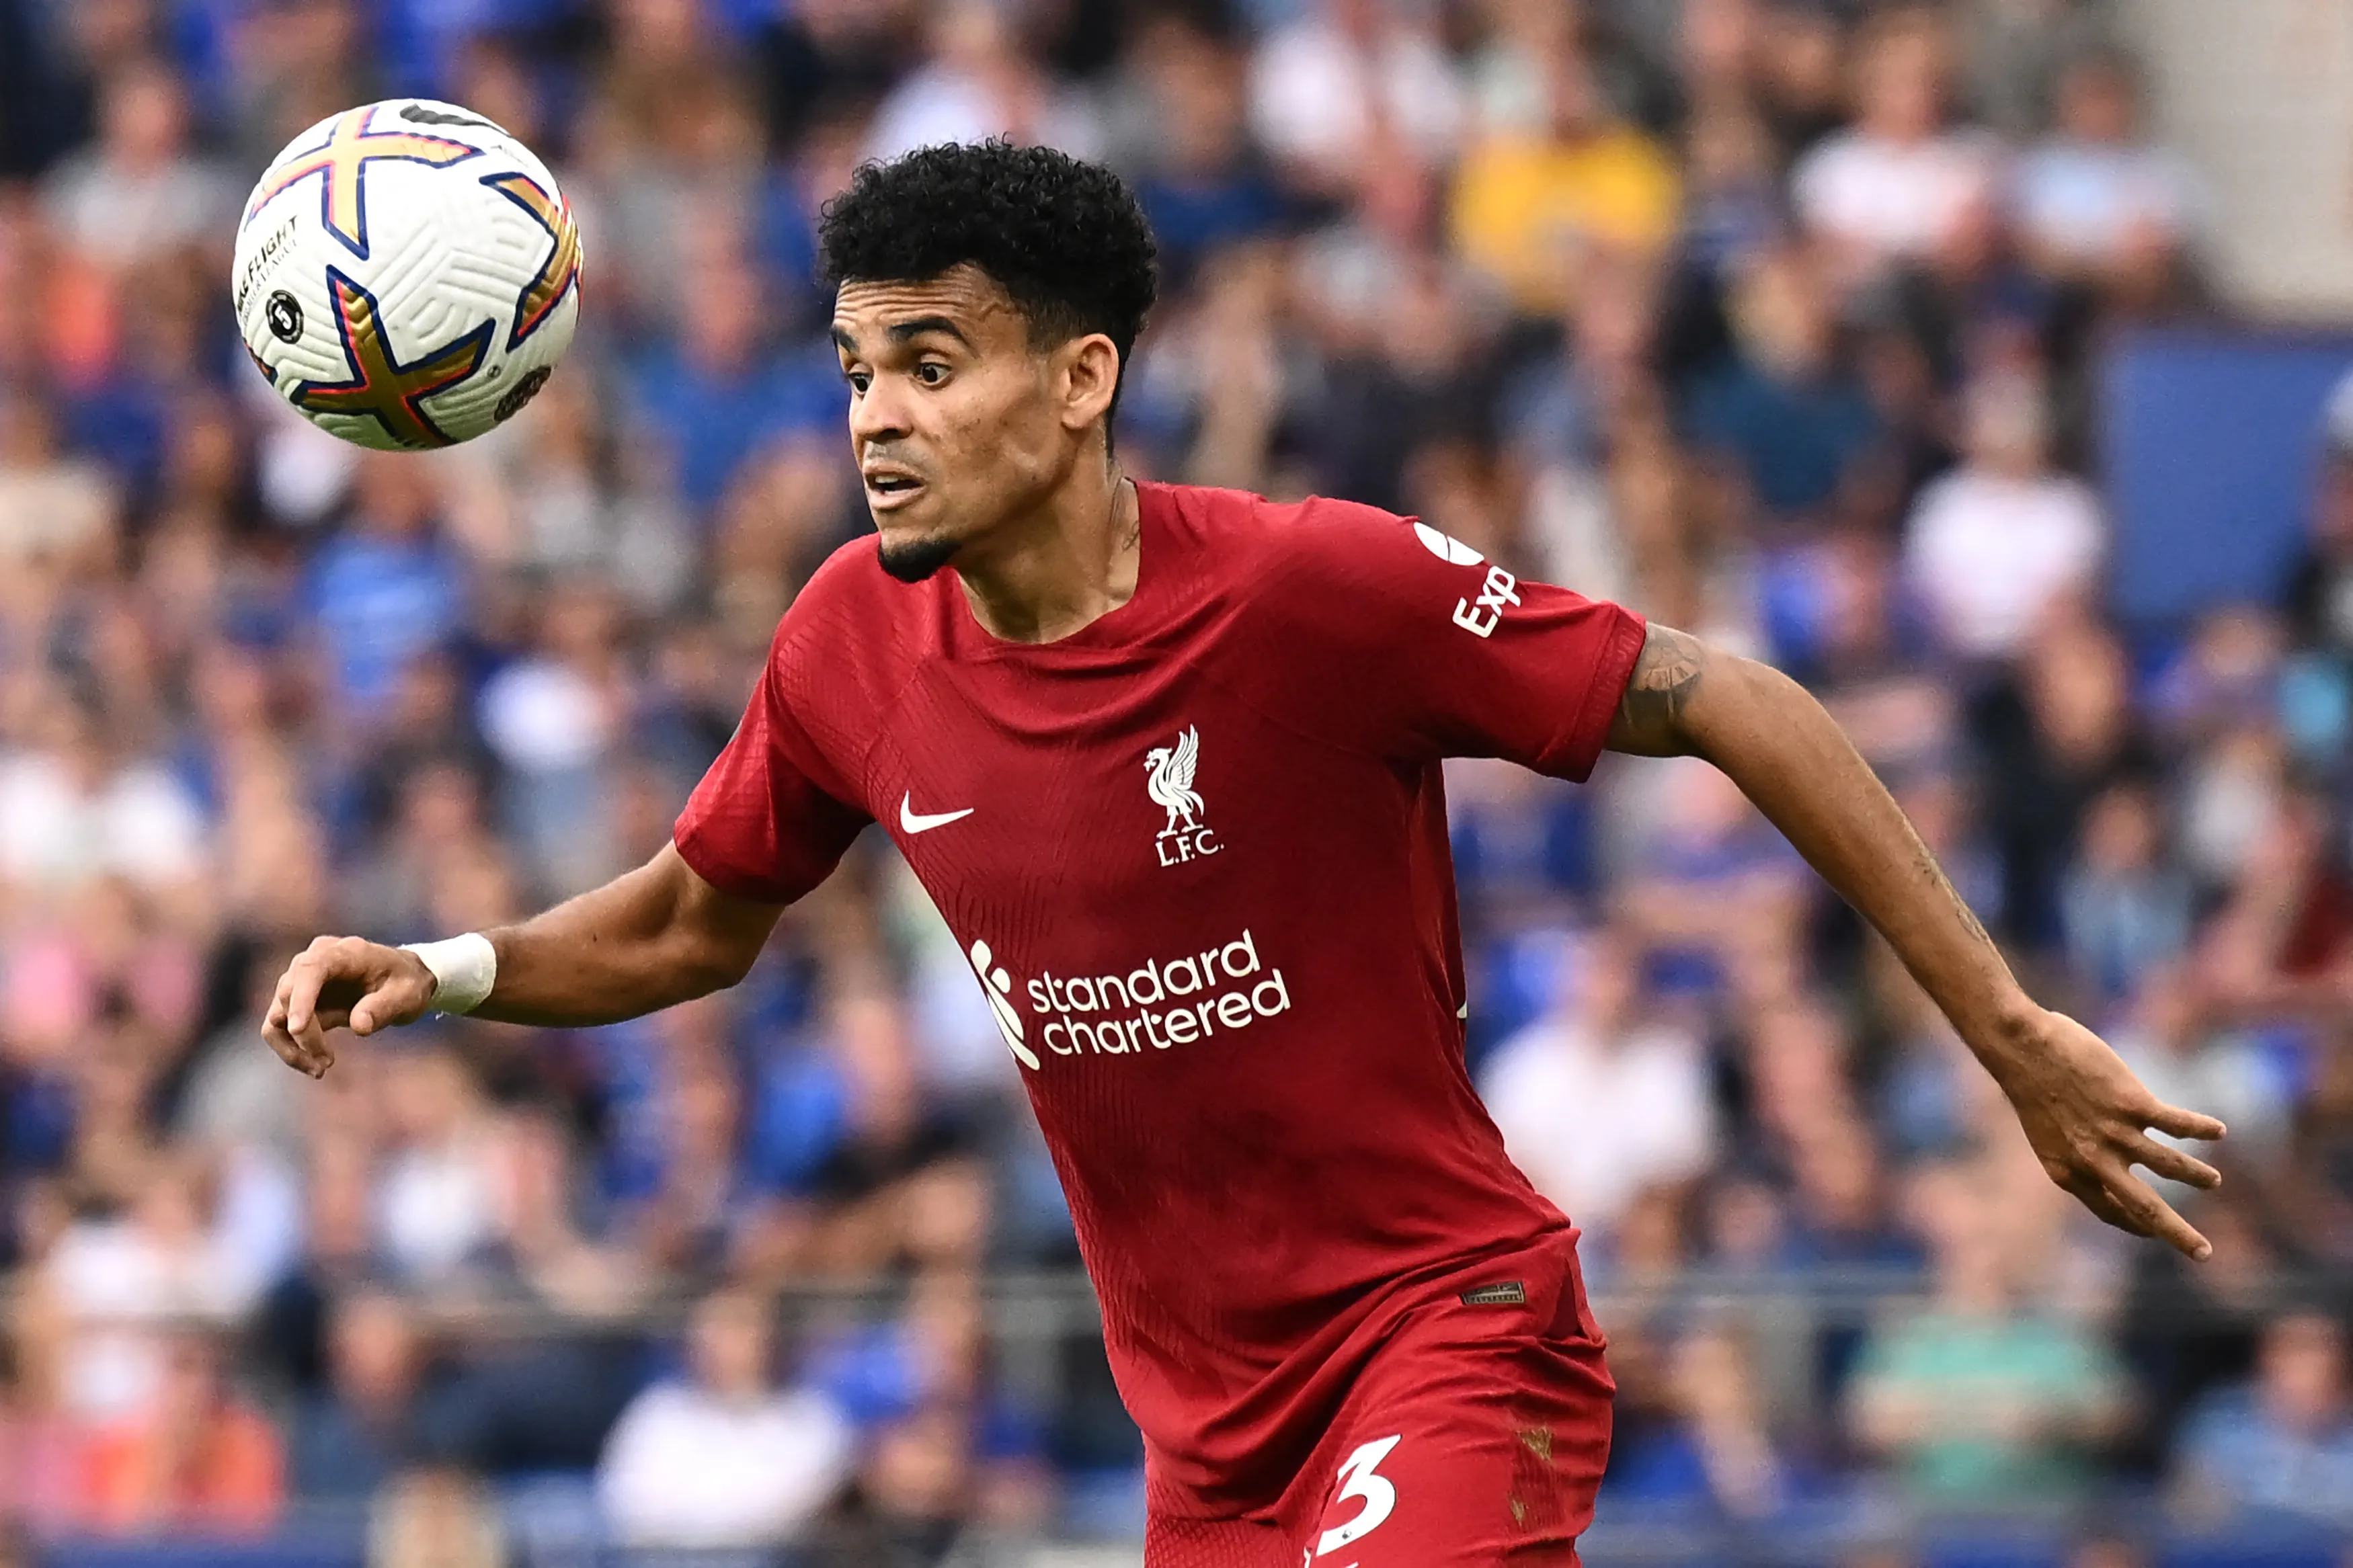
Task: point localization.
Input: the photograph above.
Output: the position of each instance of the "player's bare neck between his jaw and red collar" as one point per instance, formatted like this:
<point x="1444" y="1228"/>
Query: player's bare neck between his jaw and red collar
<point x="1062" y="568"/>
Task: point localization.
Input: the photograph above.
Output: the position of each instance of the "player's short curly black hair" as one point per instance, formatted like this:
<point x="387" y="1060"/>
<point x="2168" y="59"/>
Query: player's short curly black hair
<point x="1065" y="239"/>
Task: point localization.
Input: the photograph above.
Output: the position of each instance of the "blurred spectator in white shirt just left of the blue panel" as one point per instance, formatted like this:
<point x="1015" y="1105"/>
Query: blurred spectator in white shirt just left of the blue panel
<point x="1999" y="542"/>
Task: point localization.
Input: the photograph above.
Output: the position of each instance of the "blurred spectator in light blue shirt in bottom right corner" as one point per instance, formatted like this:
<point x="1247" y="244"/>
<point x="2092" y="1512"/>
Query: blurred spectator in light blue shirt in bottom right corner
<point x="2284" y="1442"/>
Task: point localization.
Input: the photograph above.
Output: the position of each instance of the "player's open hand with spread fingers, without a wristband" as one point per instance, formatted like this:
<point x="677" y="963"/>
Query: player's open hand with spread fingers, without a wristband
<point x="2088" y="1120"/>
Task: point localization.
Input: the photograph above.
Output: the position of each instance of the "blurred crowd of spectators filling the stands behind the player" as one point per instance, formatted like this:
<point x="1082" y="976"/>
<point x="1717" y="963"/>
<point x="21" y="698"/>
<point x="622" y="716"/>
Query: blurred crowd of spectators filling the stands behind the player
<point x="1768" y="319"/>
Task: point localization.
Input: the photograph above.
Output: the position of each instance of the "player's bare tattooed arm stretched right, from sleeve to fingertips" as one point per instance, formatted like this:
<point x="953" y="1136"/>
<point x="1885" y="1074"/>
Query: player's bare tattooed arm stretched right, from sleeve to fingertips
<point x="2084" y="1111"/>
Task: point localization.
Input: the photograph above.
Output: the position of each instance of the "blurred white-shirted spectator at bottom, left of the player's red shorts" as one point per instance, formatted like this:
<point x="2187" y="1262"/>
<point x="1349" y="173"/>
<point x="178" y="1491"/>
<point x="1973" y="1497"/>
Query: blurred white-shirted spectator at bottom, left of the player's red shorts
<point x="726" y="1459"/>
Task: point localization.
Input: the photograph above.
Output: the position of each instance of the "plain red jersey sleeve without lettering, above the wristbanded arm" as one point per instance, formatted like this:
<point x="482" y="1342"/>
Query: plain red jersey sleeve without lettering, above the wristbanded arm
<point x="771" y="819"/>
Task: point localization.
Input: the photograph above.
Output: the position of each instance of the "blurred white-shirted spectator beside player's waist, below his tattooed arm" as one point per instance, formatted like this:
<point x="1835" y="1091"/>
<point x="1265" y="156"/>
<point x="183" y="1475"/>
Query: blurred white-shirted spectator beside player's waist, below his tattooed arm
<point x="1634" y="1090"/>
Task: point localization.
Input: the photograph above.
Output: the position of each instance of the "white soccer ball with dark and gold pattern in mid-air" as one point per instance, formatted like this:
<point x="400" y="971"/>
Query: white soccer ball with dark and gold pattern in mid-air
<point x="408" y="274"/>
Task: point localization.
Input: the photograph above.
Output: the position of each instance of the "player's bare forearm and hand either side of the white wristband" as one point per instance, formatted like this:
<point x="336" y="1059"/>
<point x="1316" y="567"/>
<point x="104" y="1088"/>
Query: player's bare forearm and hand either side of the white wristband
<point x="644" y="942"/>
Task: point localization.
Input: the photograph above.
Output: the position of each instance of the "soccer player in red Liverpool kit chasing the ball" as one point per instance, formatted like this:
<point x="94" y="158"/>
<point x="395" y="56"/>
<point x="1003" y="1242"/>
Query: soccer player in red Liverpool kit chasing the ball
<point x="1168" y="760"/>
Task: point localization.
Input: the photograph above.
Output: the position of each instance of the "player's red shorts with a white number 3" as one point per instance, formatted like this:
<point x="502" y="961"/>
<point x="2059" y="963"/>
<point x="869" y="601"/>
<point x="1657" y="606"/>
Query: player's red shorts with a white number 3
<point x="1472" y="1438"/>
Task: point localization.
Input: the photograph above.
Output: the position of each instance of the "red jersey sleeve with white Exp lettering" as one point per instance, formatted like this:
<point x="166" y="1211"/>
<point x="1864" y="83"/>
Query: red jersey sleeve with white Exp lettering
<point x="1415" y="648"/>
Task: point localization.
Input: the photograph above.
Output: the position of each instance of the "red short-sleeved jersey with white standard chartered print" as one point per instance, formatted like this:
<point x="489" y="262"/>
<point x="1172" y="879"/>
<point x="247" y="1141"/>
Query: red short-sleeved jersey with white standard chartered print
<point x="1199" y="859"/>
